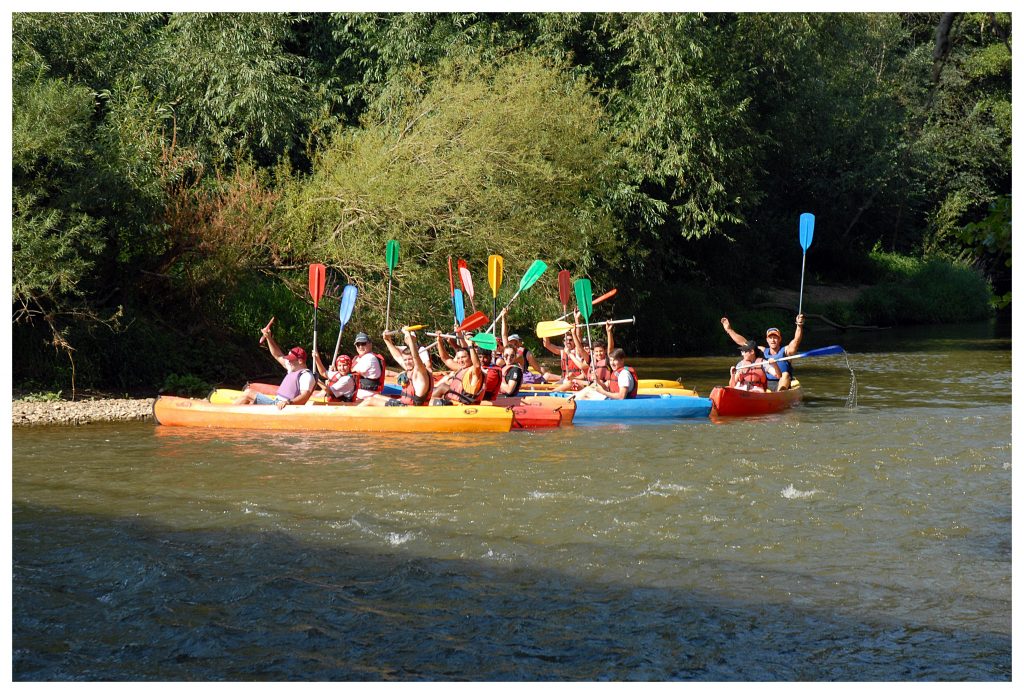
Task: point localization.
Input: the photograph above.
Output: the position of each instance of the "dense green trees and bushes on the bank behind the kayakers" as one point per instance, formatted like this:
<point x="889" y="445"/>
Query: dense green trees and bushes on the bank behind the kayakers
<point x="176" y="175"/>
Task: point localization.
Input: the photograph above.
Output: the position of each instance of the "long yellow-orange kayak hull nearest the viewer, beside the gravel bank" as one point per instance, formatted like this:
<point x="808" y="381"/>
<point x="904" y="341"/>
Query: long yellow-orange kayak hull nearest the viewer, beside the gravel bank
<point x="193" y="413"/>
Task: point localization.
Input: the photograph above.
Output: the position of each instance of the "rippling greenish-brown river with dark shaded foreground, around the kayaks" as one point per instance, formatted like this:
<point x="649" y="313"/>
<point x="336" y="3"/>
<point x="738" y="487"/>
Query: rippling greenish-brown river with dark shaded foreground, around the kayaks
<point x="867" y="543"/>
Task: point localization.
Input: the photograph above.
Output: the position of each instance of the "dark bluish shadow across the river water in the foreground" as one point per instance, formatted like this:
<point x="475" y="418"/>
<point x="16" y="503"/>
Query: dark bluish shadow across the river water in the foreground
<point x="122" y="599"/>
